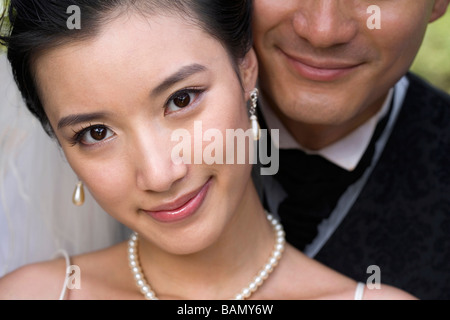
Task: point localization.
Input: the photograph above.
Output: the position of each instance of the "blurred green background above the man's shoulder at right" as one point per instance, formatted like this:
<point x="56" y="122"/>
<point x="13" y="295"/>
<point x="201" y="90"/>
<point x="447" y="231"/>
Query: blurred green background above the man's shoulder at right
<point x="433" y="59"/>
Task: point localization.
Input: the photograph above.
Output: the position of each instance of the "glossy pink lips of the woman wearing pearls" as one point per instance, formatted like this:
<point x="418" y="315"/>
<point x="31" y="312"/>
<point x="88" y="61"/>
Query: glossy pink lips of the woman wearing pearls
<point x="182" y="207"/>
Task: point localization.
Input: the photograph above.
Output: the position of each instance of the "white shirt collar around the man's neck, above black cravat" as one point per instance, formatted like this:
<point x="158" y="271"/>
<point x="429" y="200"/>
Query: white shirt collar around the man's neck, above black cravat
<point x="346" y="152"/>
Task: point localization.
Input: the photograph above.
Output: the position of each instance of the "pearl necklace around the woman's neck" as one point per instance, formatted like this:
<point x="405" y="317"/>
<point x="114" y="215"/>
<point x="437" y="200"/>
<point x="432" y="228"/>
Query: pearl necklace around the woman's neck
<point x="263" y="274"/>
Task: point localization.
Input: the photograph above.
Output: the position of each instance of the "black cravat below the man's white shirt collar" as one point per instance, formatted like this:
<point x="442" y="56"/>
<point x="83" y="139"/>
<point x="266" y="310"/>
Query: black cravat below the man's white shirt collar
<point x="314" y="186"/>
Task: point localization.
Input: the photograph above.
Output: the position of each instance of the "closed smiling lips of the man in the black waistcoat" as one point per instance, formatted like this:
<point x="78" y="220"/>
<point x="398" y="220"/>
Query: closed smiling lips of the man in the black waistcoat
<point x="324" y="71"/>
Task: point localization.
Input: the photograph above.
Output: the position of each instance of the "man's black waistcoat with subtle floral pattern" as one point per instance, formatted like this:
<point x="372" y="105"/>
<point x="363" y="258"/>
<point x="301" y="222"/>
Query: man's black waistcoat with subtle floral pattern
<point x="401" y="219"/>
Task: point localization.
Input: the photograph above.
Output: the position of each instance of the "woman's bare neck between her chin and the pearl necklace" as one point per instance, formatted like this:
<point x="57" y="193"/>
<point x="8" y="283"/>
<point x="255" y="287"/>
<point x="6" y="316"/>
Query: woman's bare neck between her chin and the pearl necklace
<point x="221" y="270"/>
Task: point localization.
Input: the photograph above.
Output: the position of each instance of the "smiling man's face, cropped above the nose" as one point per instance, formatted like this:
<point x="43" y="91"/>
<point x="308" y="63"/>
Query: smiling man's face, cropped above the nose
<point x="326" y="61"/>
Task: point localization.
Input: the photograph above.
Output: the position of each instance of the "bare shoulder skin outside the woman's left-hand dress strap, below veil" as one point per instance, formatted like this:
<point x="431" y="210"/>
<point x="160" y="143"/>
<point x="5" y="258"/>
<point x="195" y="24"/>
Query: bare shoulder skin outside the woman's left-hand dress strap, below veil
<point x="41" y="281"/>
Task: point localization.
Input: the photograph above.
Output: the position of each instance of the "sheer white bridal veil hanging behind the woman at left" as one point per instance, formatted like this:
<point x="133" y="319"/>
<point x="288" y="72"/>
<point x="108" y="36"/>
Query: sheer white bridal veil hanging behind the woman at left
<point x="37" y="217"/>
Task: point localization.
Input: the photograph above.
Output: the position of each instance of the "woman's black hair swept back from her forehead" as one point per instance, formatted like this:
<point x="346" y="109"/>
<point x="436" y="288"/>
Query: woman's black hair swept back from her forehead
<point x="38" y="25"/>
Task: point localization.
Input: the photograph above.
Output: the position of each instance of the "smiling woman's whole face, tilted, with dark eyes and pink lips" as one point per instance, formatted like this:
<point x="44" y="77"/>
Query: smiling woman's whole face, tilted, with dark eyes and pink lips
<point x="117" y="104"/>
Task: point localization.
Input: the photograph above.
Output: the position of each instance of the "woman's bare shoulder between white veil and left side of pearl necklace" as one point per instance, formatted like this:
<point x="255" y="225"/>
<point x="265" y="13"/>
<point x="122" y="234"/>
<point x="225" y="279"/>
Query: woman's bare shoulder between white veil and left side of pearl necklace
<point x="46" y="280"/>
